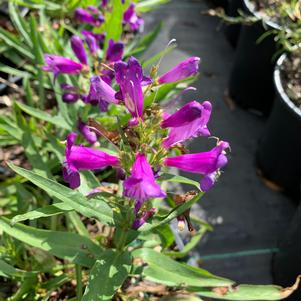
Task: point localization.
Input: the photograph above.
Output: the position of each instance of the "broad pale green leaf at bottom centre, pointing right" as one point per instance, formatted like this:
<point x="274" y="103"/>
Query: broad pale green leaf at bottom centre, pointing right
<point x="163" y="269"/>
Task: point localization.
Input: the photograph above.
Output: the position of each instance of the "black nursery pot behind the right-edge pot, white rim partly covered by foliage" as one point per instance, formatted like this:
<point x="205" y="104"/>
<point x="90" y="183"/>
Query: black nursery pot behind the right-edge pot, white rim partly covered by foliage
<point x="251" y="78"/>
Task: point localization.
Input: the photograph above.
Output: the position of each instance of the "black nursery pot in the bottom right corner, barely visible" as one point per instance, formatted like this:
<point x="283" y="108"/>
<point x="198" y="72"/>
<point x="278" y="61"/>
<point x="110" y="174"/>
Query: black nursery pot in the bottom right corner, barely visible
<point x="287" y="262"/>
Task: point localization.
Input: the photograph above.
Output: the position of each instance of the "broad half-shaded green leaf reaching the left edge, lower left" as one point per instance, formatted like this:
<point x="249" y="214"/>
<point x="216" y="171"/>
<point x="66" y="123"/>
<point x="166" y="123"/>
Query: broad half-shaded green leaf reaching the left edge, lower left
<point x="65" y="245"/>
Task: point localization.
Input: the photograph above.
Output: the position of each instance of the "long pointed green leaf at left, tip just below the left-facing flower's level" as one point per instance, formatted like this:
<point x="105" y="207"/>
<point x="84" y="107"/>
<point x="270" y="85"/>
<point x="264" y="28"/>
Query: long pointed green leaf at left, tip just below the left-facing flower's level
<point x="92" y="208"/>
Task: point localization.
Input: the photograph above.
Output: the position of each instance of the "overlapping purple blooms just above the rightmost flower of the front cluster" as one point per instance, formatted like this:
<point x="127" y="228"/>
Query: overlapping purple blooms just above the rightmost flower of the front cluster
<point x="189" y="121"/>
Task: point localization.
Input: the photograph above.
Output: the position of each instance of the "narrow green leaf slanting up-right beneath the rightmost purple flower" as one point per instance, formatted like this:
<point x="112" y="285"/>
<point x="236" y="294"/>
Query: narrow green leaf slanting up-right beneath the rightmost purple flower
<point x="172" y="214"/>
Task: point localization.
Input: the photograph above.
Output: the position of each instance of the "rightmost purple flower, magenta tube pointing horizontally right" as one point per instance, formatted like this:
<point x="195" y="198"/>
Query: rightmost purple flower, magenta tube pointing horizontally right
<point x="206" y="163"/>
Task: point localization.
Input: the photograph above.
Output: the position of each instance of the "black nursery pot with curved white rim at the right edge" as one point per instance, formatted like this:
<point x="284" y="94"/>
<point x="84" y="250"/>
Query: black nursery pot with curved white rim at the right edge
<point x="278" y="154"/>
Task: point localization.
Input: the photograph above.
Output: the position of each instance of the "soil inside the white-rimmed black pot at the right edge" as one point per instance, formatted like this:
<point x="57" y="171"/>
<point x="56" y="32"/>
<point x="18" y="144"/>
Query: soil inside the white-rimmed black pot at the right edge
<point x="291" y="77"/>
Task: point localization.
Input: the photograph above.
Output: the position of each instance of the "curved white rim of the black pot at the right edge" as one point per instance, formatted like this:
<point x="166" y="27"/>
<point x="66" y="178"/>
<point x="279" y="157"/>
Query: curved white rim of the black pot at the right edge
<point x="280" y="88"/>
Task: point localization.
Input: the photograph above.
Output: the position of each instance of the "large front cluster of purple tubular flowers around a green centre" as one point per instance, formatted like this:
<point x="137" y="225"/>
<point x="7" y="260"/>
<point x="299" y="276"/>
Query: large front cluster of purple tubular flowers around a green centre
<point x="150" y="136"/>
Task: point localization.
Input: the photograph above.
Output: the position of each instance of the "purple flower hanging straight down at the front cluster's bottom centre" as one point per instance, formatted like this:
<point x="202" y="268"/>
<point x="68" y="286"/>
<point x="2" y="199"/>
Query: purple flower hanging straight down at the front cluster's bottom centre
<point x="141" y="184"/>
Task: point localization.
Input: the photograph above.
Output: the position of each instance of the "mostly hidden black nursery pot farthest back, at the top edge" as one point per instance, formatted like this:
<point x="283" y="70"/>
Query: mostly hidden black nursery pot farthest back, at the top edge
<point x="232" y="30"/>
